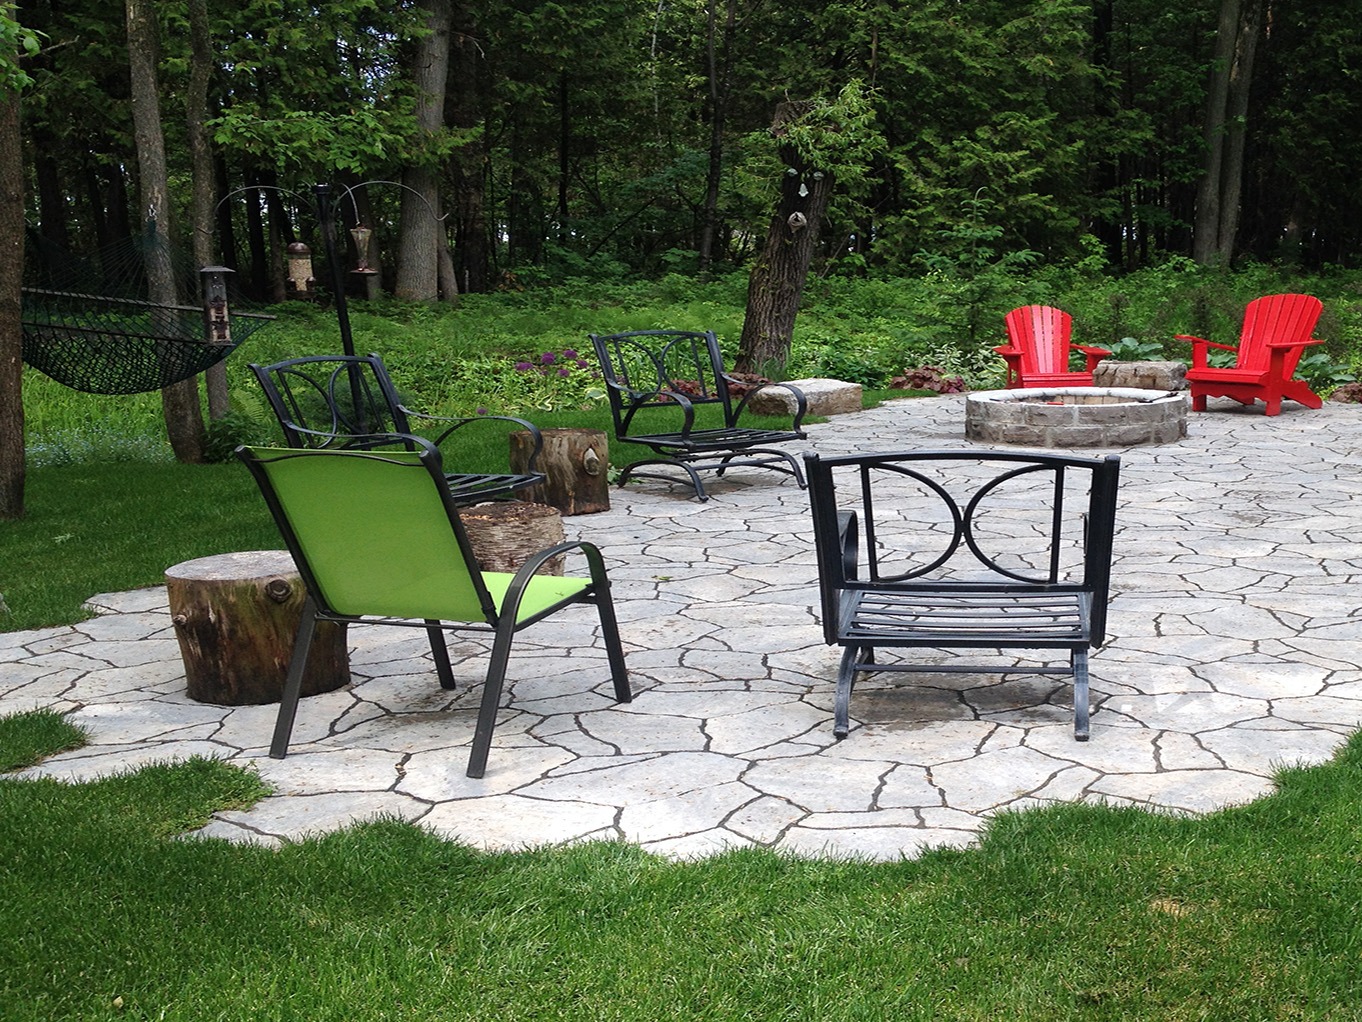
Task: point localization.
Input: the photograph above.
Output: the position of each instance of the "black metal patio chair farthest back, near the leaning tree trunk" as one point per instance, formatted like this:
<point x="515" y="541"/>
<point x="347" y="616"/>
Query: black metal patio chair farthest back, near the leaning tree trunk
<point x="657" y="378"/>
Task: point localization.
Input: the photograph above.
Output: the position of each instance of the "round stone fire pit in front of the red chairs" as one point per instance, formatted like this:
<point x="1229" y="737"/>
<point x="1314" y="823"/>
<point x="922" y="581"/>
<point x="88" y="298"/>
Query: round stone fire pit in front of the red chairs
<point x="1077" y="418"/>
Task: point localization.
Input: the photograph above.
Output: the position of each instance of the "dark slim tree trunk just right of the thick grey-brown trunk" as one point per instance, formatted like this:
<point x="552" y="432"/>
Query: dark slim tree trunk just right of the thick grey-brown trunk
<point x="468" y="167"/>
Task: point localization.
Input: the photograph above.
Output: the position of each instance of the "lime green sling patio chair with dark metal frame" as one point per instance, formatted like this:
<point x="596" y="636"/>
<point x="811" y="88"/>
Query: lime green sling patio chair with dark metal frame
<point x="378" y="540"/>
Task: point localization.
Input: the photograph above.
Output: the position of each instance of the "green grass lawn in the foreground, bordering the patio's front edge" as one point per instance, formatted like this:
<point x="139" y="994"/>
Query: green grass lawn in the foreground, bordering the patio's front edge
<point x="1075" y="912"/>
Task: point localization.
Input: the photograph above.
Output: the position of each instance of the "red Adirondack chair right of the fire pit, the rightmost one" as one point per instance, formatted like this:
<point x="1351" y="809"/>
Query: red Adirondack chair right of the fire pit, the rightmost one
<point x="1277" y="332"/>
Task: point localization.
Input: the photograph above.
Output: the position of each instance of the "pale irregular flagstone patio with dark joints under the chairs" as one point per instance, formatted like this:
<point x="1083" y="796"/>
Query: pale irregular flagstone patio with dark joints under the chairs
<point x="1233" y="649"/>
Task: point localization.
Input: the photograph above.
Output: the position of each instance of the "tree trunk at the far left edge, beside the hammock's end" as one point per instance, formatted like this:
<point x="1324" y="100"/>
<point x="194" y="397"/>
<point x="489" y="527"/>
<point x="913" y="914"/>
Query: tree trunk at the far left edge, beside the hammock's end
<point x="12" y="328"/>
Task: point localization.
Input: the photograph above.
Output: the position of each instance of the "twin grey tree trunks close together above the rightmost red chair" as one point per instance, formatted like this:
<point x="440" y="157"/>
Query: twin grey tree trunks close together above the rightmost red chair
<point x="1226" y="108"/>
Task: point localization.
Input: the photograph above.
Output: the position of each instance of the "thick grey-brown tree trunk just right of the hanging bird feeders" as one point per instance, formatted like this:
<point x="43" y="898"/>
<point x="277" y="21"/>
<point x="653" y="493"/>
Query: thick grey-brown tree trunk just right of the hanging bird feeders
<point x="422" y="235"/>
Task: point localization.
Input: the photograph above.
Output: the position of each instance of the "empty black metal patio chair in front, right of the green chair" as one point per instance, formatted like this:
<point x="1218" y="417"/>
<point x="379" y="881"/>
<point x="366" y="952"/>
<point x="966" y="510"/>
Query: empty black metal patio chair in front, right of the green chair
<point x="964" y="551"/>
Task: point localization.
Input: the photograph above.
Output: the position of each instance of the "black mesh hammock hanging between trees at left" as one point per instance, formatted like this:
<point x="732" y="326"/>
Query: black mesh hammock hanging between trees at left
<point x="104" y="345"/>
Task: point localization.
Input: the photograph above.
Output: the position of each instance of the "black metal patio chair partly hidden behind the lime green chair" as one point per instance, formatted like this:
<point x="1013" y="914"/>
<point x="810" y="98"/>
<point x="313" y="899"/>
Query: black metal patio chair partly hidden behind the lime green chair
<point x="338" y="401"/>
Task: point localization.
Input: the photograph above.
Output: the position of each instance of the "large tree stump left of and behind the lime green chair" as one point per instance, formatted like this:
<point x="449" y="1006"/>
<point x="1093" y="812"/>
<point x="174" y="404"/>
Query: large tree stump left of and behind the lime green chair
<point x="236" y="617"/>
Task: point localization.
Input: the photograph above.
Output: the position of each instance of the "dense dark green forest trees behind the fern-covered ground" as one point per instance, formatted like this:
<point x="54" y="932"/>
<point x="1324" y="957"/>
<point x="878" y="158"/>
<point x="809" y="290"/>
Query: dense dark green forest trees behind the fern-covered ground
<point x="634" y="137"/>
